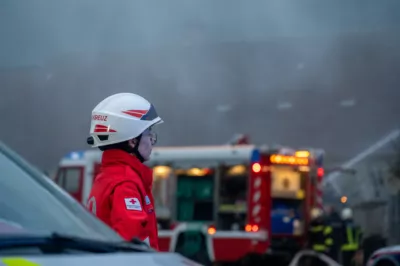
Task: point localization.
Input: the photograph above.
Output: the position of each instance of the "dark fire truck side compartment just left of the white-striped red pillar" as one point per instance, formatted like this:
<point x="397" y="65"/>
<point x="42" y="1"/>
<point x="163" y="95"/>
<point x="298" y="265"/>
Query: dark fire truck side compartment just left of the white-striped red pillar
<point x="233" y="186"/>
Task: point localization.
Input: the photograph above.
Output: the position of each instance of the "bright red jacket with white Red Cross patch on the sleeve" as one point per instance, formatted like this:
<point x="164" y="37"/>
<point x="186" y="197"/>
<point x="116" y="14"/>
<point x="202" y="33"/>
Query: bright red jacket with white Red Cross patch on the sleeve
<point x="121" y="197"/>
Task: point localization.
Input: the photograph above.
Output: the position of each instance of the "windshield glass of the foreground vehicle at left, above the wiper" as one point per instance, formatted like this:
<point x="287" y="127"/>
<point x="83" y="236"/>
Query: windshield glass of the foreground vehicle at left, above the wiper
<point x="31" y="203"/>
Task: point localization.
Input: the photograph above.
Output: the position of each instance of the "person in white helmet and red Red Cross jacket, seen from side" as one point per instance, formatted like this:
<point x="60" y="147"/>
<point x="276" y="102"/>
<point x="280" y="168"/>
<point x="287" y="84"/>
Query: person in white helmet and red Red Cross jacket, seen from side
<point x="121" y="195"/>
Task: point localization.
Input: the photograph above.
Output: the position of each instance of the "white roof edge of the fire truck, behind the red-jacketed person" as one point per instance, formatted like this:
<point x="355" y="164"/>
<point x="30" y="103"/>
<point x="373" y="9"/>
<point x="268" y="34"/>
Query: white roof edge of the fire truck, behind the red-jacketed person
<point x="185" y="156"/>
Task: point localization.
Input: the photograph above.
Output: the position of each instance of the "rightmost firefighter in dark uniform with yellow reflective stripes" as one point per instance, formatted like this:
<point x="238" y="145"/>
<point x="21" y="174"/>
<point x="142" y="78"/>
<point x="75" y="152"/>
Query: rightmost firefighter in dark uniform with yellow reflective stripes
<point x="351" y="237"/>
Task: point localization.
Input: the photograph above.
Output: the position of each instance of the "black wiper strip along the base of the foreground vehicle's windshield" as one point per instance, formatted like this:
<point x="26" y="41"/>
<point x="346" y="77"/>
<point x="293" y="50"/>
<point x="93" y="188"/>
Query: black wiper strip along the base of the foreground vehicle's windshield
<point x="58" y="243"/>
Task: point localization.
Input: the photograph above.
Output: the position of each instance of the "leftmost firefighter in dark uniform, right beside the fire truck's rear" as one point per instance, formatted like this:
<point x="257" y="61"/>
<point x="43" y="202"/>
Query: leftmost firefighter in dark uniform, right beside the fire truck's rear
<point x="320" y="233"/>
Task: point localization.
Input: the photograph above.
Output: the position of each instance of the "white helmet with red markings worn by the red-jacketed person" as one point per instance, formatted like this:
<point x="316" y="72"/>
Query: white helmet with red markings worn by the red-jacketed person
<point x="121" y="117"/>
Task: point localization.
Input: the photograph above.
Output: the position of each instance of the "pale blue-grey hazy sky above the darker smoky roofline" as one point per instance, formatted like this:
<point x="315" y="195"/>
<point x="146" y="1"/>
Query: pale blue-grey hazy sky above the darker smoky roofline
<point x="35" y="31"/>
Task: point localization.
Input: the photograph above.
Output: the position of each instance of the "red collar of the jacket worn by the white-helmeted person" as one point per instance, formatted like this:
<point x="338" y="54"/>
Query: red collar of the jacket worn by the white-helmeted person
<point x="120" y="157"/>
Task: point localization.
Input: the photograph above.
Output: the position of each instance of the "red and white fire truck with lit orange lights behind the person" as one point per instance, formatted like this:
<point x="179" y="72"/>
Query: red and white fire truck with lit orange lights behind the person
<point x="222" y="203"/>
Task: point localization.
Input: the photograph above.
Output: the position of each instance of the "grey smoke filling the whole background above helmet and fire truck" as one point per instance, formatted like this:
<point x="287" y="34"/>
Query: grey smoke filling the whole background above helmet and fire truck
<point x="212" y="68"/>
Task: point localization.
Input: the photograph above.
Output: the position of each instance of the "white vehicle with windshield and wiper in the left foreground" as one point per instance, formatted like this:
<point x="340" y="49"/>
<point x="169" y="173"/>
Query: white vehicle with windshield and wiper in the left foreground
<point x="42" y="224"/>
